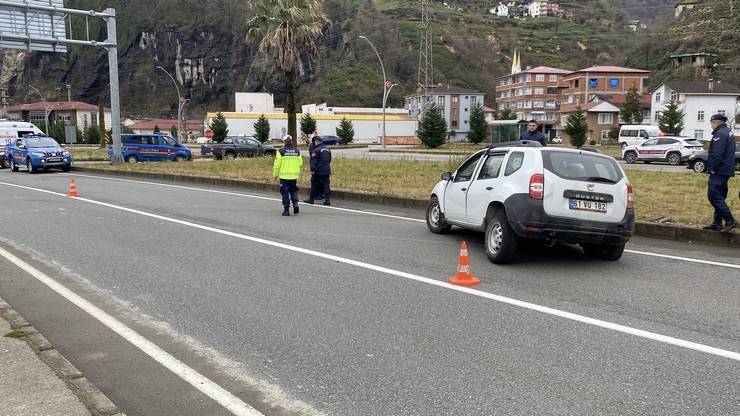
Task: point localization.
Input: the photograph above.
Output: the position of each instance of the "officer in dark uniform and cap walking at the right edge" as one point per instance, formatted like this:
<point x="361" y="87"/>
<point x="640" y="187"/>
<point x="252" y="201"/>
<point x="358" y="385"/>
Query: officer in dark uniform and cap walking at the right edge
<point x="721" y="167"/>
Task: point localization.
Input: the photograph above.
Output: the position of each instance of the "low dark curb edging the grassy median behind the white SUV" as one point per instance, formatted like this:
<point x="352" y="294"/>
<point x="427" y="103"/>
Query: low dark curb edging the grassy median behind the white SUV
<point x="642" y="229"/>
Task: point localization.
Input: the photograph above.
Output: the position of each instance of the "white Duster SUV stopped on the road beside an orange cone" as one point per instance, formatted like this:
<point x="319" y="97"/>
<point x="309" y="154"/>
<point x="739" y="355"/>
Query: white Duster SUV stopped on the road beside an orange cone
<point x="520" y="190"/>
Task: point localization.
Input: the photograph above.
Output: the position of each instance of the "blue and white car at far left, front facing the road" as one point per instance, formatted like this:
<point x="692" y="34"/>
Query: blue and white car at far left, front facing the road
<point x="37" y="152"/>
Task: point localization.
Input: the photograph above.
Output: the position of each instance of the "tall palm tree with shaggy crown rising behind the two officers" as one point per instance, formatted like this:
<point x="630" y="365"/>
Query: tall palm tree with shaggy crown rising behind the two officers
<point x="286" y="30"/>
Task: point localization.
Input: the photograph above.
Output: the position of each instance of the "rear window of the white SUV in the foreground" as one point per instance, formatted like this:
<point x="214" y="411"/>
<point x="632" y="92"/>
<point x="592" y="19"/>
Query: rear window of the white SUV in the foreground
<point x="582" y="166"/>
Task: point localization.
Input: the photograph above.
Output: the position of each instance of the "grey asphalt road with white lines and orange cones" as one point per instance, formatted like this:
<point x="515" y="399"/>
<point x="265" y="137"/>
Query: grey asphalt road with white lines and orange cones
<point x="342" y="312"/>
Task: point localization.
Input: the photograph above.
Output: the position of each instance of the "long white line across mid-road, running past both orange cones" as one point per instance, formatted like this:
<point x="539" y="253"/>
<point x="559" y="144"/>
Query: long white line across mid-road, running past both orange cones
<point x="486" y="295"/>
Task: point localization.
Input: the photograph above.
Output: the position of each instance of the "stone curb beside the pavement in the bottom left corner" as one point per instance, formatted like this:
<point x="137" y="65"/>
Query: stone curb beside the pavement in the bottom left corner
<point x="93" y="399"/>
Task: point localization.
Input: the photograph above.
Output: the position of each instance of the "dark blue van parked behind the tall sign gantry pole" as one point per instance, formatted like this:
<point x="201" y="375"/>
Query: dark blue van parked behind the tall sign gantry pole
<point x="152" y="148"/>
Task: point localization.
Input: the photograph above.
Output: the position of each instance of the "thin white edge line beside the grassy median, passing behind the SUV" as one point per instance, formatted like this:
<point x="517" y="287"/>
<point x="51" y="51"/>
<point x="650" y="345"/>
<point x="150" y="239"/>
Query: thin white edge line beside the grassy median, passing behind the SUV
<point x="190" y="188"/>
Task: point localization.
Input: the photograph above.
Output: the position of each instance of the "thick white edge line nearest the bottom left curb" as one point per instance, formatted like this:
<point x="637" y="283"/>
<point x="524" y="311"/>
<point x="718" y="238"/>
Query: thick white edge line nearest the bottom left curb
<point x="195" y="379"/>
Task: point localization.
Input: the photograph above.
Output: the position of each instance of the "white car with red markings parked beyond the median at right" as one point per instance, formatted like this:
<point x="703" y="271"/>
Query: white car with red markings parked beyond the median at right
<point x="672" y="149"/>
